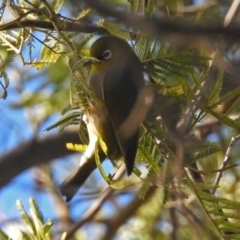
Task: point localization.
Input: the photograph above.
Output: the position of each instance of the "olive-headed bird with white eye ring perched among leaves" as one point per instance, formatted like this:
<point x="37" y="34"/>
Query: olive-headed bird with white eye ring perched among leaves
<point x="122" y="101"/>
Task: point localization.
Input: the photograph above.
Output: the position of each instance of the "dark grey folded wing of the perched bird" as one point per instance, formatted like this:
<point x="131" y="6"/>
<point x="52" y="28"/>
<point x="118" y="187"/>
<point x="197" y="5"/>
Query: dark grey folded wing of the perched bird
<point x="120" y="95"/>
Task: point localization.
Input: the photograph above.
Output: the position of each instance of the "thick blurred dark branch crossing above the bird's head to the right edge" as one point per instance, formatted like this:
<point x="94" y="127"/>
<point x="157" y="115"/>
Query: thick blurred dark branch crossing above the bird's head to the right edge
<point x="163" y="26"/>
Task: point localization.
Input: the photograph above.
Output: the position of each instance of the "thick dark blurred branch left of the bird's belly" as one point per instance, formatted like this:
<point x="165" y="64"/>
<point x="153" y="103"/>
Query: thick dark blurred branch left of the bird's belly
<point x="35" y="152"/>
